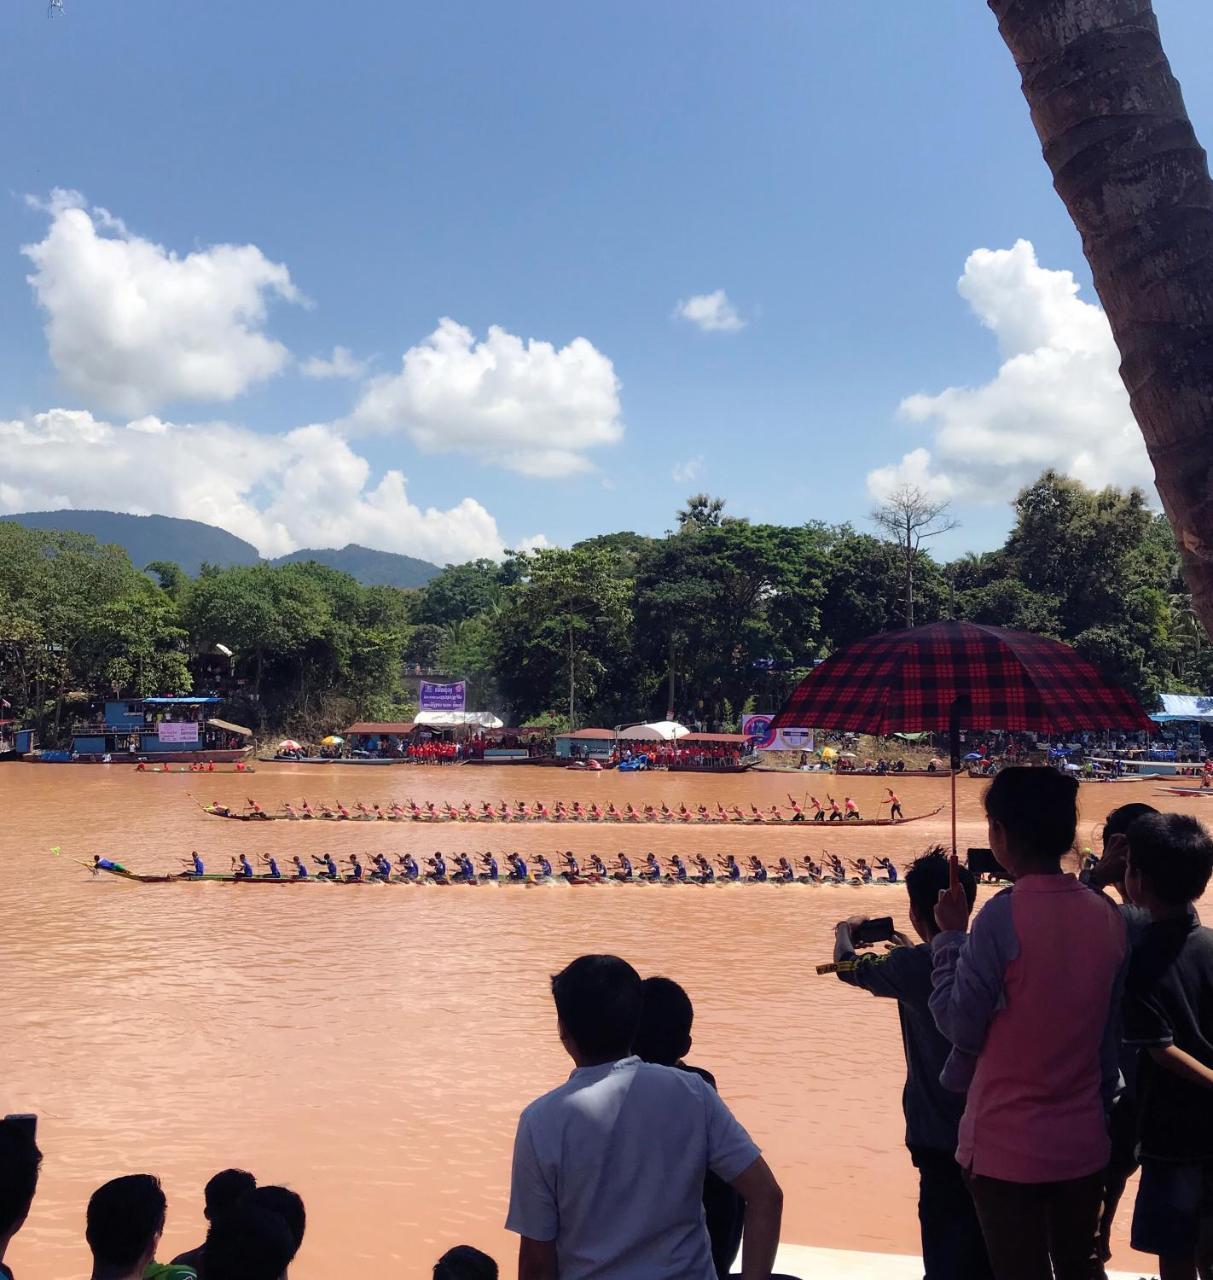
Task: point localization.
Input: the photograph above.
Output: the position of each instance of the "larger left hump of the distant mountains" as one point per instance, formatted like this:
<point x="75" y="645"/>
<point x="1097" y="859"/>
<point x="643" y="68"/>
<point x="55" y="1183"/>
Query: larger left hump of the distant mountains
<point x="149" y="538"/>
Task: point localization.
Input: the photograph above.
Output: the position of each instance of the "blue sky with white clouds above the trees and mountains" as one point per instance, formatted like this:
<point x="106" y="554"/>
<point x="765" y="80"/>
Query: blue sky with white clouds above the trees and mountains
<point x="559" y="172"/>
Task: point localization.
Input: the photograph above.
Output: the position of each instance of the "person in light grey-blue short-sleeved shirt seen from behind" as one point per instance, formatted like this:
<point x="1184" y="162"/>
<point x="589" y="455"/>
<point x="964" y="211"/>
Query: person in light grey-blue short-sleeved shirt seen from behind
<point x="633" y="1139"/>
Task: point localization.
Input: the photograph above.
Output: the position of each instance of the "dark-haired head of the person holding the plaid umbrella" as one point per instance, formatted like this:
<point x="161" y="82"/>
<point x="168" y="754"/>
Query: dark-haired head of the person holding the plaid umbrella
<point x="1033" y="816"/>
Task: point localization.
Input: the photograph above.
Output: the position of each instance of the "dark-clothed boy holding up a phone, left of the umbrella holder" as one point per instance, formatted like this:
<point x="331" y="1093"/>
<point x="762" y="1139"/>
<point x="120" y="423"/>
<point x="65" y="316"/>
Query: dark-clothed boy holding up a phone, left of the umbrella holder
<point x="953" y="1244"/>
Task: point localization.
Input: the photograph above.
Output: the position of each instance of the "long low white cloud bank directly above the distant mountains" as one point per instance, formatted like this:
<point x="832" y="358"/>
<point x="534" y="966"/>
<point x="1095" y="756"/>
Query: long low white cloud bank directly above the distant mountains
<point x="305" y="488"/>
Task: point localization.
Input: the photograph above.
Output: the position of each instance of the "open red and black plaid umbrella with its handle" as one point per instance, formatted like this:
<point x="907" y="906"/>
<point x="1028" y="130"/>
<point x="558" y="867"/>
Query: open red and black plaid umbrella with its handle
<point x="959" y="675"/>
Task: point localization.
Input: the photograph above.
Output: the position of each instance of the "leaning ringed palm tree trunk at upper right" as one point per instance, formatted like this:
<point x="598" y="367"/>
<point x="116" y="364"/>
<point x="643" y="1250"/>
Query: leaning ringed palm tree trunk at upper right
<point x="1128" y="166"/>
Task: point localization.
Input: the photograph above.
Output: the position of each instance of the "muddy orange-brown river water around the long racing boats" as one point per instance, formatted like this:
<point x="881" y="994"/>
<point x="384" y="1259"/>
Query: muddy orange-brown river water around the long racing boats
<point x="373" y="1048"/>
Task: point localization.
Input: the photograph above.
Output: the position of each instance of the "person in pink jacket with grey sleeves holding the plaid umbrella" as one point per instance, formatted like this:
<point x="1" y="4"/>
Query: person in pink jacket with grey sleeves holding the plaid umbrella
<point x="1029" y="999"/>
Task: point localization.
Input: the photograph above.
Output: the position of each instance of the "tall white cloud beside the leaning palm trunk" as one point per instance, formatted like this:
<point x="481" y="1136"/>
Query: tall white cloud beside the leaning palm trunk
<point x="1058" y="400"/>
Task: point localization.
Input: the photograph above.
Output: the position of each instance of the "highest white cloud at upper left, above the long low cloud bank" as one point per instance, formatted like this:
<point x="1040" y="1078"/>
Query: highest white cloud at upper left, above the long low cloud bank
<point x="132" y="326"/>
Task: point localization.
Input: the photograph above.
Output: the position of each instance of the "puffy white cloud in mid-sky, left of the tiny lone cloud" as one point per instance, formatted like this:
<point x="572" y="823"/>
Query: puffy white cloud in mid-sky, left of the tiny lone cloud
<point x="525" y="406"/>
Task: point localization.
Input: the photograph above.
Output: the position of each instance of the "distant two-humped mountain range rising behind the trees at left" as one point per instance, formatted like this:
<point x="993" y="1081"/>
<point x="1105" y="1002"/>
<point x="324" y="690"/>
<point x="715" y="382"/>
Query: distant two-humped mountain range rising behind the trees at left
<point x="190" y="543"/>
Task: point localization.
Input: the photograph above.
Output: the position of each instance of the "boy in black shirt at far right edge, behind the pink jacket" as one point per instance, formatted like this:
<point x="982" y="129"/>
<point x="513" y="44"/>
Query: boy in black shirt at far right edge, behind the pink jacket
<point x="1169" y="1014"/>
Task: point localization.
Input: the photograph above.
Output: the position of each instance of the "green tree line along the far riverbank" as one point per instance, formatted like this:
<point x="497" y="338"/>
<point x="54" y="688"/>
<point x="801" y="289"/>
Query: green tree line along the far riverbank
<point x="716" y="618"/>
